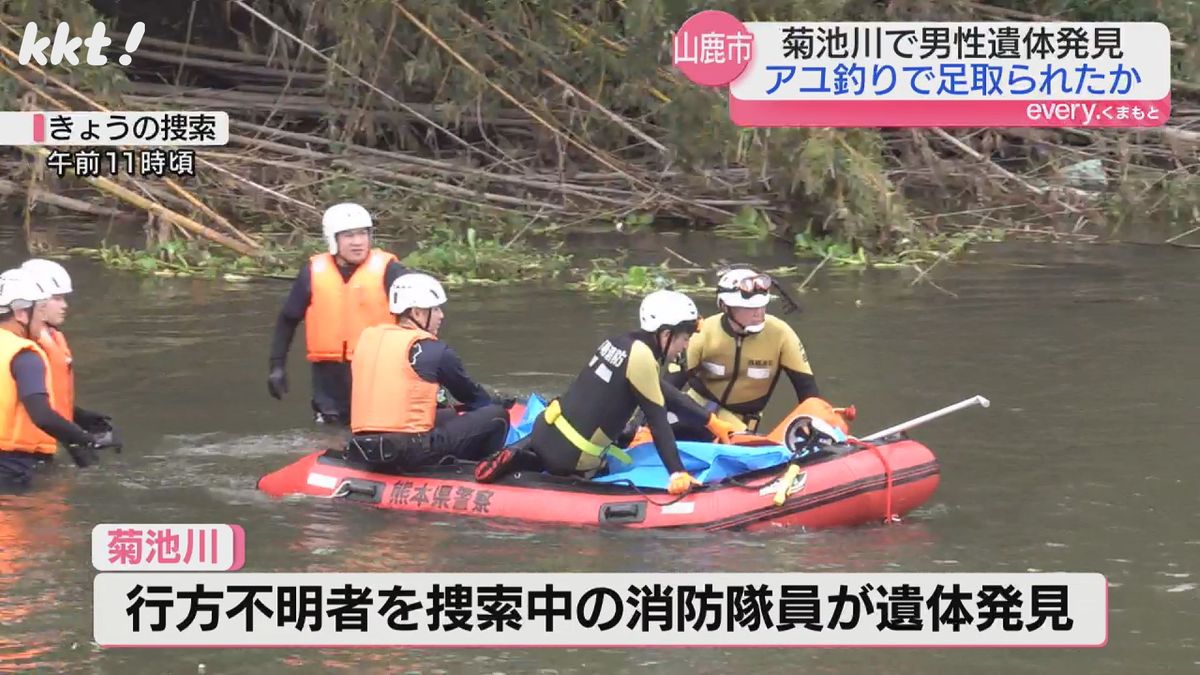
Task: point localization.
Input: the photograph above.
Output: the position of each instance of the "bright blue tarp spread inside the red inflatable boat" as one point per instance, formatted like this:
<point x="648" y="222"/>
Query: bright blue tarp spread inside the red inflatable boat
<point x="706" y="462"/>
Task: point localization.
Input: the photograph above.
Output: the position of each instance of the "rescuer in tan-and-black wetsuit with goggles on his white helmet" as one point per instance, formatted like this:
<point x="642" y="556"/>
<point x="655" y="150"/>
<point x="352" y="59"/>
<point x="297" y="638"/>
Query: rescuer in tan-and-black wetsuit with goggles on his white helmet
<point x="733" y="368"/>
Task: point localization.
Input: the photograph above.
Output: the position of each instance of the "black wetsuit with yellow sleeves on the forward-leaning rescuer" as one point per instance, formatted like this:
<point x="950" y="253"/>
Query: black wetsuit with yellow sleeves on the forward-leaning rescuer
<point x="578" y="429"/>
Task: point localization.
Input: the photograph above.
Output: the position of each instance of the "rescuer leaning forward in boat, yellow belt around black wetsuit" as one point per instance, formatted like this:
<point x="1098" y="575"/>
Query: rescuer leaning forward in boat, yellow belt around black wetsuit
<point x="577" y="432"/>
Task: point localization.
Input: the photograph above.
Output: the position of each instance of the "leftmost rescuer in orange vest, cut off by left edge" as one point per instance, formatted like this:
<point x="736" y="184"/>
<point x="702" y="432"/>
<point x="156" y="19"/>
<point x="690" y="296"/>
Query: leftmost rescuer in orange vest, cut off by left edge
<point x="31" y="429"/>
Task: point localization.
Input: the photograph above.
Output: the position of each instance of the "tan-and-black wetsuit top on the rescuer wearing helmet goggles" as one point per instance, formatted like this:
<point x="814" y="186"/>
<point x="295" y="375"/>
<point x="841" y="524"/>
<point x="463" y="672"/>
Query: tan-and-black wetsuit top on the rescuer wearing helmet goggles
<point x="735" y="375"/>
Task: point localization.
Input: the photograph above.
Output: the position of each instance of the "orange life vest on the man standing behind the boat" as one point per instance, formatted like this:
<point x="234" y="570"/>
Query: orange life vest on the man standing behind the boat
<point x="340" y="310"/>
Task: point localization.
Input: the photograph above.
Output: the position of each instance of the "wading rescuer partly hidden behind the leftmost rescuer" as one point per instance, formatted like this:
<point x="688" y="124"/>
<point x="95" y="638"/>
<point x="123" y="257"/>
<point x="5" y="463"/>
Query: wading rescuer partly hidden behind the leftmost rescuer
<point x="55" y="280"/>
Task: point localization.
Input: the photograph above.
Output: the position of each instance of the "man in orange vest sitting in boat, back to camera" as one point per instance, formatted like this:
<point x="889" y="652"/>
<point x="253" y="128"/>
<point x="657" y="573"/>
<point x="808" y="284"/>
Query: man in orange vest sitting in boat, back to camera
<point x="398" y="372"/>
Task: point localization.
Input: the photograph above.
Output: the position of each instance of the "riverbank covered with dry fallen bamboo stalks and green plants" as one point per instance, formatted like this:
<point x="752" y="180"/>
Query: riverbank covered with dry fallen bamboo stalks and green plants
<point x="502" y="132"/>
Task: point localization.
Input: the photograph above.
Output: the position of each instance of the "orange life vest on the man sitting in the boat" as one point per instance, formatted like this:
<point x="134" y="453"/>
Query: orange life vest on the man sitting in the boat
<point x="387" y="396"/>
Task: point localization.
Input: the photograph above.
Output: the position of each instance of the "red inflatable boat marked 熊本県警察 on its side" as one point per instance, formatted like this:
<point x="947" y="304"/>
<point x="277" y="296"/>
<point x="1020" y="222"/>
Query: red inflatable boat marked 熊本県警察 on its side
<point x="853" y="485"/>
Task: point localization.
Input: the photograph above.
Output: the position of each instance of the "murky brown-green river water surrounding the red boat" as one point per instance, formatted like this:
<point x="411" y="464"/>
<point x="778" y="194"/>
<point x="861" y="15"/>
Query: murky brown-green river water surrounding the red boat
<point x="1082" y="464"/>
